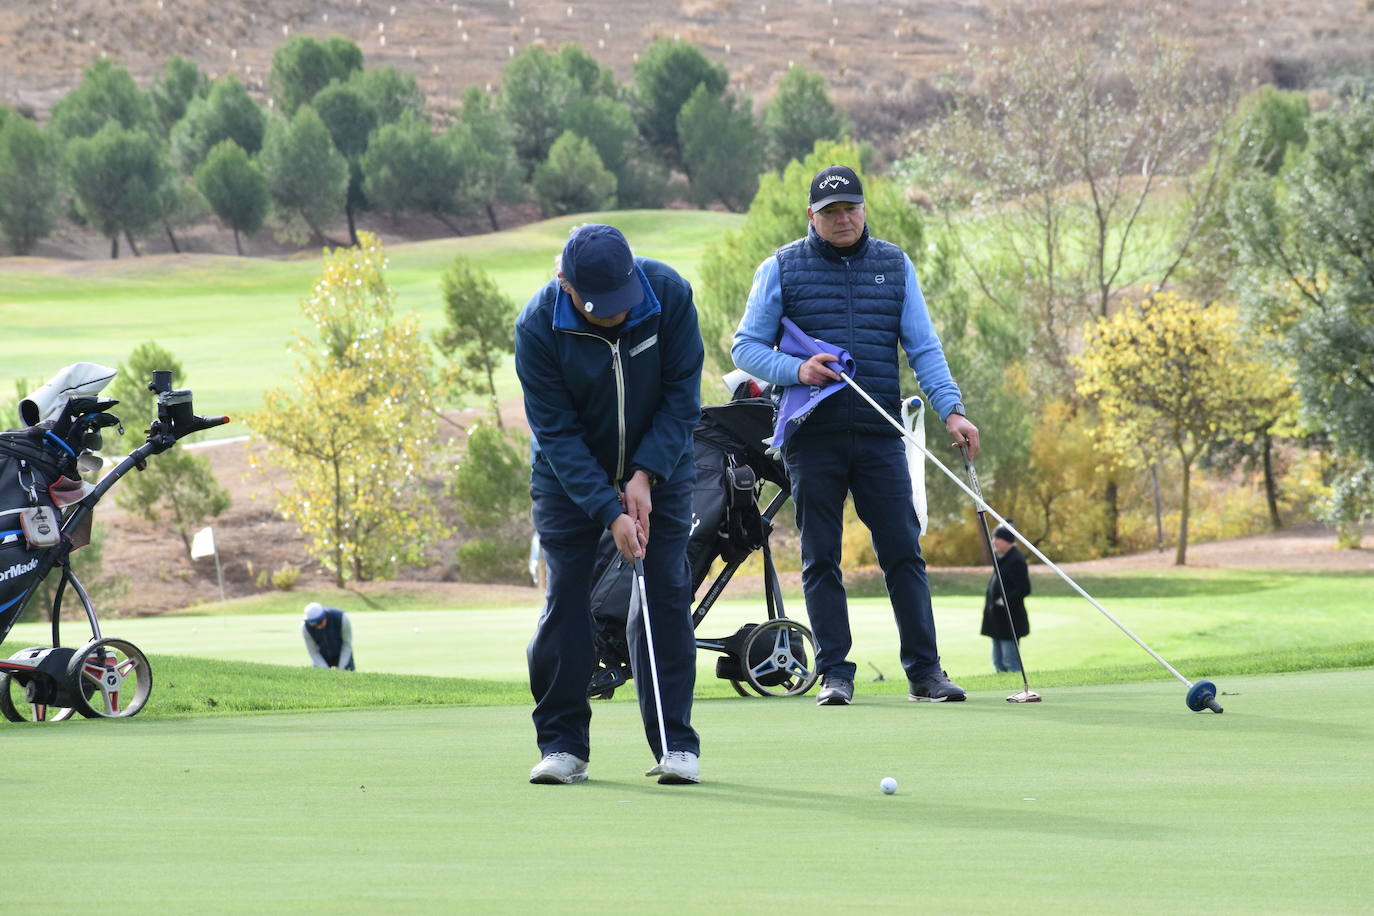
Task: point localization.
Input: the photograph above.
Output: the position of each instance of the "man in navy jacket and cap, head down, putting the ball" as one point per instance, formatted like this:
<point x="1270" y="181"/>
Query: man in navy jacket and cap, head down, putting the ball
<point x="609" y="358"/>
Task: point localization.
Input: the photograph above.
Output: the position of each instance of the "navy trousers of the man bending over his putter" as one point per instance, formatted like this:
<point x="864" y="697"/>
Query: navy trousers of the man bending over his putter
<point x="563" y="654"/>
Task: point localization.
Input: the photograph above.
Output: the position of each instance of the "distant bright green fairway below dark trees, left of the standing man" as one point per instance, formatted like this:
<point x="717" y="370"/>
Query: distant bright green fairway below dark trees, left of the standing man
<point x="229" y="321"/>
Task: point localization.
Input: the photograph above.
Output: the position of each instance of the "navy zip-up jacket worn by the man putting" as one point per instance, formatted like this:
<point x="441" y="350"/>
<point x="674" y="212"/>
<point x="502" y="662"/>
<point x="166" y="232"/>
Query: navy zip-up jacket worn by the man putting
<point x="602" y="407"/>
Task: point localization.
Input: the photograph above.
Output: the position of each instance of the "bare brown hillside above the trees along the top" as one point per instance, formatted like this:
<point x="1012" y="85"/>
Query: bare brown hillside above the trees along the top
<point x="872" y="54"/>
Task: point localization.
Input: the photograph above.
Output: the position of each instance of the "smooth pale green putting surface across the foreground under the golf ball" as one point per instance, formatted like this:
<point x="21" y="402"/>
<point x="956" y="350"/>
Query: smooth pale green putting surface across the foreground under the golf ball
<point x="1101" y="800"/>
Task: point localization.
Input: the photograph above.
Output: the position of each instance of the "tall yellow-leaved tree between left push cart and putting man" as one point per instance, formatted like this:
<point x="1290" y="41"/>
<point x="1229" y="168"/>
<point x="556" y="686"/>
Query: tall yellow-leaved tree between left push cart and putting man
<point x="358" y="425"/>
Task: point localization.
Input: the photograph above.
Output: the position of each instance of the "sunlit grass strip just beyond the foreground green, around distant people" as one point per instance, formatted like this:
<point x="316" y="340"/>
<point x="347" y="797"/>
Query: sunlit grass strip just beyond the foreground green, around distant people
<point x="1184" y="616"/>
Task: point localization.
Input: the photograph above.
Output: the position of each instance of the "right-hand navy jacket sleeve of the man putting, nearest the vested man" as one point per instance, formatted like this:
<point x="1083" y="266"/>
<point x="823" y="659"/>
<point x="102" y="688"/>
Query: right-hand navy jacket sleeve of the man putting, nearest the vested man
<point x="681" y="355"/>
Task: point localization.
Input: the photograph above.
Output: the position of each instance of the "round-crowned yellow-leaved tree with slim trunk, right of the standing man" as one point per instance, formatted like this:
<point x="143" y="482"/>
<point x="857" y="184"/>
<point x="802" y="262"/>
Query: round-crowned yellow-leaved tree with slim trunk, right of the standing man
<point x="1170" y="376"/>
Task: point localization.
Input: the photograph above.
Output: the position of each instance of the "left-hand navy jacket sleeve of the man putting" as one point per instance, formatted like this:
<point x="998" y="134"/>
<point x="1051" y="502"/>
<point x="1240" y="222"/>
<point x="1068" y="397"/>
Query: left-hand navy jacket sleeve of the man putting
<point x="553" y="422"/>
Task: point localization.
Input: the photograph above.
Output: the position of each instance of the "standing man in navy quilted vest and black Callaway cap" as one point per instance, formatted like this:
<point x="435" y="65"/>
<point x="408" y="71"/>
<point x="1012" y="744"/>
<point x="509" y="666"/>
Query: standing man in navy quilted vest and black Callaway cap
<point x="858" y="293"/>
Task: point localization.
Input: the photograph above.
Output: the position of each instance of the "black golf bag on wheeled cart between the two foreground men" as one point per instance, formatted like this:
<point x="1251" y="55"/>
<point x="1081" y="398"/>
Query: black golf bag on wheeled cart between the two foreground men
<point x="732" y="468"/>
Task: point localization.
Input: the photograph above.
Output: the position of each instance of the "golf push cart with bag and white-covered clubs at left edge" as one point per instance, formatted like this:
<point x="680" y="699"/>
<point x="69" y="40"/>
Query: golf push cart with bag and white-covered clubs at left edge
<point x="45" y="516"/>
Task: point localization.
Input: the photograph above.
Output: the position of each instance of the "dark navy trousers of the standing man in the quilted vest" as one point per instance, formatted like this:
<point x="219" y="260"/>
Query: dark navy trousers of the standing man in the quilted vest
<point x="824" y="469"/>
